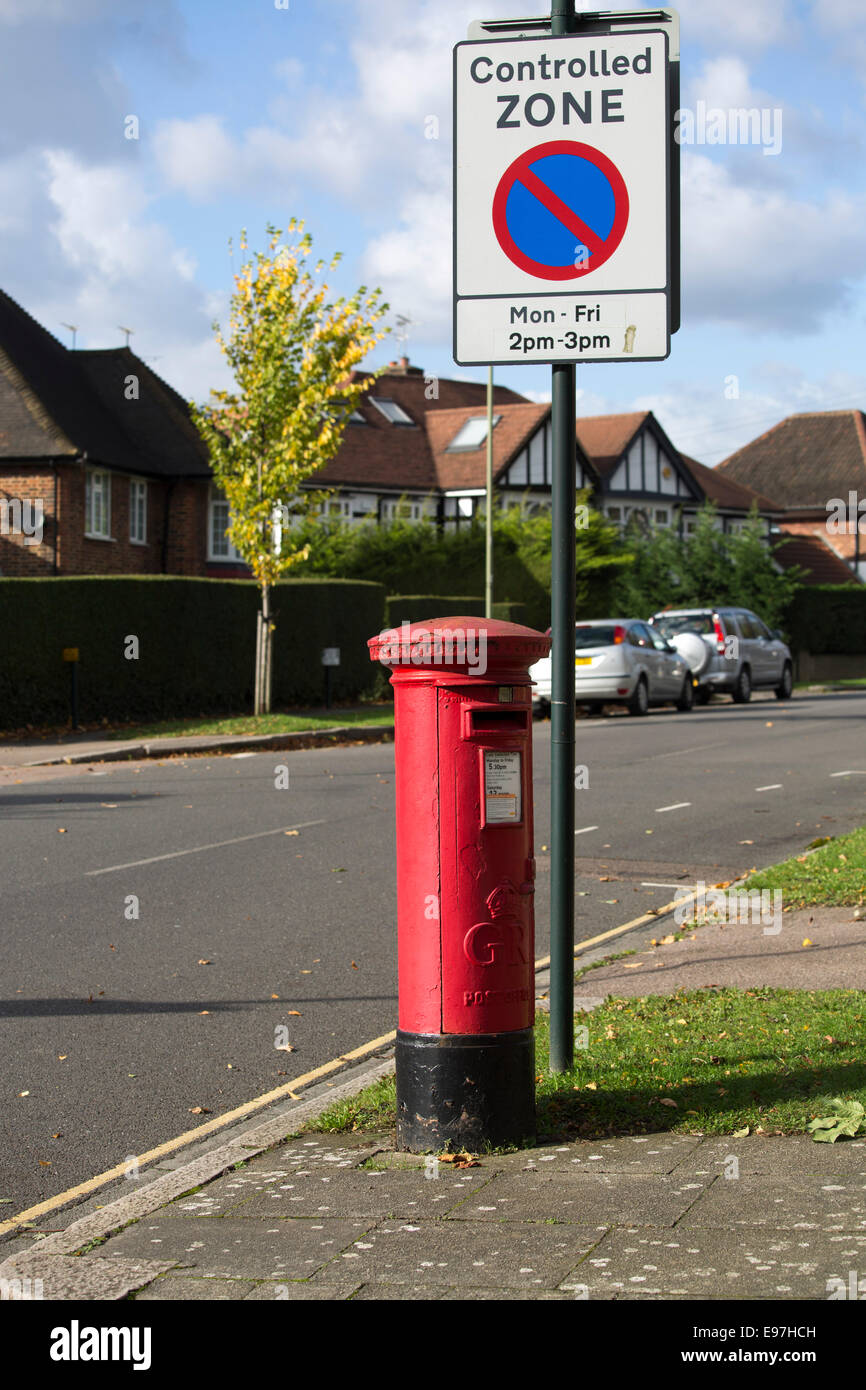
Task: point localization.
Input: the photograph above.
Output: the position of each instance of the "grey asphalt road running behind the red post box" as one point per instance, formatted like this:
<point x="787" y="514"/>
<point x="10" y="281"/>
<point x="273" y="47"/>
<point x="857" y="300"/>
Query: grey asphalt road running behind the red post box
<point x="159" y="924"/>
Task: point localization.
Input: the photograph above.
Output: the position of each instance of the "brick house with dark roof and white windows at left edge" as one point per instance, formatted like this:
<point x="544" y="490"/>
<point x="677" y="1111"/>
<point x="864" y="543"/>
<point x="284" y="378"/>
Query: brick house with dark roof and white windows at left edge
<point x="105" y="451"/>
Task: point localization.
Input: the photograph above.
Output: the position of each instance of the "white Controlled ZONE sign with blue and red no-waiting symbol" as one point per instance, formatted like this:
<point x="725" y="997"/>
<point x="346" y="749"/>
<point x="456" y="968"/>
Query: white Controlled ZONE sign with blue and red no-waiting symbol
<point x="562" y="199"/>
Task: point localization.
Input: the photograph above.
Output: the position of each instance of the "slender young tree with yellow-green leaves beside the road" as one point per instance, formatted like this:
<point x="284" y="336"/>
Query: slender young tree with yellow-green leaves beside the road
<point x="291" y="355"/>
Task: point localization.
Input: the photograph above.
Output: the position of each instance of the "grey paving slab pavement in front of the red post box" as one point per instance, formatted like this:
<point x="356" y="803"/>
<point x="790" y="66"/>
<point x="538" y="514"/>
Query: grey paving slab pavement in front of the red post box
<point x="633" y="1218"/>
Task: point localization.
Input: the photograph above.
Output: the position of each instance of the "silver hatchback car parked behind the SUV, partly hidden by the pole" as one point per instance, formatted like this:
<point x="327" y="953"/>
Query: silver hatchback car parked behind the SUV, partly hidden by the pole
<point x="622" y="662"/>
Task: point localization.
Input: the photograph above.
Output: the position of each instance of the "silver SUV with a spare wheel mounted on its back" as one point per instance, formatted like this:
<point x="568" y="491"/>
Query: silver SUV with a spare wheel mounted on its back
<point x="729" y="650"/>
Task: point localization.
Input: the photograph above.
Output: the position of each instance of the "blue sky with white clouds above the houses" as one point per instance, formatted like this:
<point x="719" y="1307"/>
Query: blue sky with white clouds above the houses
<point x="251" y="115"/>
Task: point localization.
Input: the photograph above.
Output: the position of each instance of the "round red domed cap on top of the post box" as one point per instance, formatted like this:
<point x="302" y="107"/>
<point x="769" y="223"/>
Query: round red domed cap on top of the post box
<point x="458" y="643"/>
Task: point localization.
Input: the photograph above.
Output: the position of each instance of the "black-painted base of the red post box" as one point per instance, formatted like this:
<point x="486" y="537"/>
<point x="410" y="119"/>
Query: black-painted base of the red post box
<point x="465" y="1092"/>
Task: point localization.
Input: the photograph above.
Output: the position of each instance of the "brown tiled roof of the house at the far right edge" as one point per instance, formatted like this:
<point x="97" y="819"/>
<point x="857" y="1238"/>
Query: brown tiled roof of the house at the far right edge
<point x="806" y="459"/>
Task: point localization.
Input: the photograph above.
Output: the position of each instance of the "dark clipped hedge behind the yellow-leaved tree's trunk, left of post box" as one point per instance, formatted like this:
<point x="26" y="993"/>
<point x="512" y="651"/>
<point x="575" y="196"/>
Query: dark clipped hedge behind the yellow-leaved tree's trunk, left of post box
<point x="197" y="646"/>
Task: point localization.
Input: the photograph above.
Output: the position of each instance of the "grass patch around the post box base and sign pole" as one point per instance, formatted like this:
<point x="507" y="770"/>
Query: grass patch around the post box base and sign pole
<point x="708" y="1061"/>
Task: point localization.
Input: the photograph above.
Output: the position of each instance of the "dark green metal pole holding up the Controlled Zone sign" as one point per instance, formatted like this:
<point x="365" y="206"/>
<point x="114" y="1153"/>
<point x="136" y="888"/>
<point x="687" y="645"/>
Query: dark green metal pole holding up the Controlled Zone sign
<point x="562" y="687"/>
